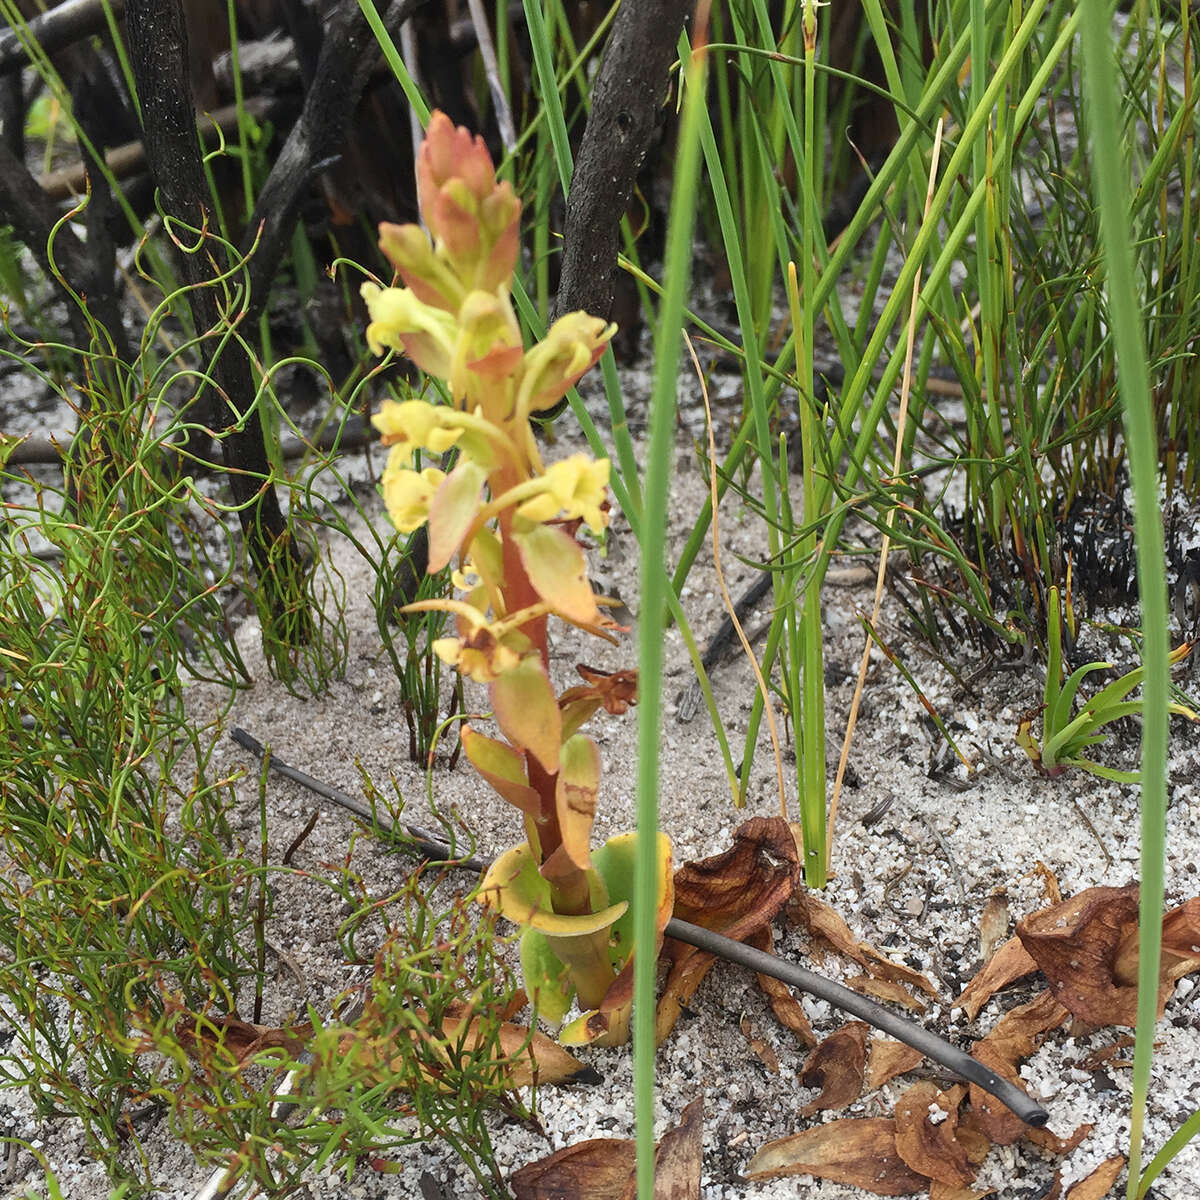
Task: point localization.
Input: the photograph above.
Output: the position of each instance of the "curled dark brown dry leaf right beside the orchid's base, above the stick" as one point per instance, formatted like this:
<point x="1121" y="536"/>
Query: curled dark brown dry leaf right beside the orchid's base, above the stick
<point x="735" y="895"/>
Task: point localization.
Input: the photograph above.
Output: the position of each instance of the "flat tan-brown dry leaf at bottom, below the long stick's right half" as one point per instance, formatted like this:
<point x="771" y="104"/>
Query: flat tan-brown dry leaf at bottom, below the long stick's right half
<point x="860" y="1151"/>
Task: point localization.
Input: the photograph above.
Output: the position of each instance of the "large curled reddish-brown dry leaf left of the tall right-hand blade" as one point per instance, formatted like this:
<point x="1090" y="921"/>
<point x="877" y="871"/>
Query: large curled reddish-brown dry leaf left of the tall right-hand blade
<point x="1076" y="946"/>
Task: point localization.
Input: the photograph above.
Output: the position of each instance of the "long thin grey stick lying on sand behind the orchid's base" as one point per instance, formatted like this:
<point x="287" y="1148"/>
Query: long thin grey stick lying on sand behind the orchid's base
<point x="916" y="1036"/>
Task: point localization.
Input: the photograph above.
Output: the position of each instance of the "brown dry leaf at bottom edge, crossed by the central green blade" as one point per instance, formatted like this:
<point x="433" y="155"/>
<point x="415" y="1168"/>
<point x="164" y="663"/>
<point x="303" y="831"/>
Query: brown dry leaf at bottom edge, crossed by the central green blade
<point x="607" y="1168"/>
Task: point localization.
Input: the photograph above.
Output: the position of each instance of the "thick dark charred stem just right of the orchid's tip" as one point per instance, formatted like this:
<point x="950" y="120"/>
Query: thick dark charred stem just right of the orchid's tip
<point x="627" y="101"/>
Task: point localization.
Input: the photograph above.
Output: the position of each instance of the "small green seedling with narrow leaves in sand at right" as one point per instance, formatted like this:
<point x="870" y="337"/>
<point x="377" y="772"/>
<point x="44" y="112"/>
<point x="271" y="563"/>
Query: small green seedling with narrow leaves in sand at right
<point x="1067" y="735"/>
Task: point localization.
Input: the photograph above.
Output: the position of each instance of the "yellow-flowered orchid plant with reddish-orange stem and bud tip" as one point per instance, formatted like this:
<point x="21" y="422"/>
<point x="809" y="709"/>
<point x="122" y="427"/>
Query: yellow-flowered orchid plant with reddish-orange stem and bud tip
<point x="508" y="523"/>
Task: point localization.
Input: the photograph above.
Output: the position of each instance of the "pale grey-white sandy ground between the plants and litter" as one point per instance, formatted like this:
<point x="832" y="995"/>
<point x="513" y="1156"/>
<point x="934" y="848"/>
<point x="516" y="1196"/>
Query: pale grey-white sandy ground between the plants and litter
<point x="915" y="881"/>
